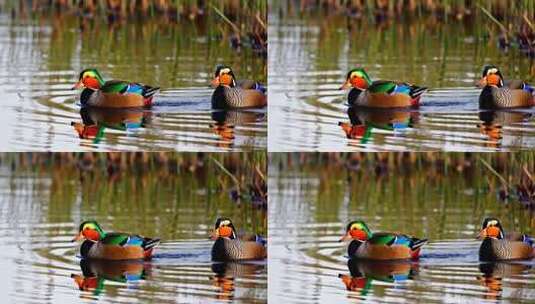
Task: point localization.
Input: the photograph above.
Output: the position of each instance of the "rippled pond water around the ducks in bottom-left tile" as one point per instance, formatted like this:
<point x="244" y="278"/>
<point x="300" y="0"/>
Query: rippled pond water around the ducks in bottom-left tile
<point x="40" y="211"/>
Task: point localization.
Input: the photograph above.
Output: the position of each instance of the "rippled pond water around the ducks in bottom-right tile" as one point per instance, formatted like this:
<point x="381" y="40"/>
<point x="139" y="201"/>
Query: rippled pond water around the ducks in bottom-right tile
<point x="311" y="206"/>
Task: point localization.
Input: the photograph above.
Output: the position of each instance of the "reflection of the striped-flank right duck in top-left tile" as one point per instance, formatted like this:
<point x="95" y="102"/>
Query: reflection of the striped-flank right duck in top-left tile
<point x="225" y="122"/>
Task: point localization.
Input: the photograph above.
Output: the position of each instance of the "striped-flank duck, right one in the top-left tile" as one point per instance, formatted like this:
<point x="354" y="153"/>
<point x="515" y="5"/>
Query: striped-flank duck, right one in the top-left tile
<point x="230" y="94"/>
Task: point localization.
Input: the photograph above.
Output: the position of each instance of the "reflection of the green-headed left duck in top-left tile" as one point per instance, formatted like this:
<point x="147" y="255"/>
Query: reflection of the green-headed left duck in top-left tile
<point x="96" y="120"/>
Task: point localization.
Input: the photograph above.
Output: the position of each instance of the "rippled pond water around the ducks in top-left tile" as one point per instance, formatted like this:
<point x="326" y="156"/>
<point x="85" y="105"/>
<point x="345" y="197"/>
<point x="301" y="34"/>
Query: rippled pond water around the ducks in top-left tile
<point x="41" y="57"/>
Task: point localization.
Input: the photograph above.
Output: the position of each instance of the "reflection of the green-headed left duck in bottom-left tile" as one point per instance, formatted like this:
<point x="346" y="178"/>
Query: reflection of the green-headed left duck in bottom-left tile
<point x="96" y="272"/>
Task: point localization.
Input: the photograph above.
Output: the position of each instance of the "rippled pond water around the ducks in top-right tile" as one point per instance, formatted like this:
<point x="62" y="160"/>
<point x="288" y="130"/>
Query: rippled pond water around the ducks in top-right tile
<point x="309" y="57"/>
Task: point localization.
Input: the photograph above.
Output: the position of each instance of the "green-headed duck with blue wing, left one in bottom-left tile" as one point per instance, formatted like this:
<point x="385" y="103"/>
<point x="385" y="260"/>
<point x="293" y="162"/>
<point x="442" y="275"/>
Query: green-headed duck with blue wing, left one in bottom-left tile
<point x="113" y="246"/>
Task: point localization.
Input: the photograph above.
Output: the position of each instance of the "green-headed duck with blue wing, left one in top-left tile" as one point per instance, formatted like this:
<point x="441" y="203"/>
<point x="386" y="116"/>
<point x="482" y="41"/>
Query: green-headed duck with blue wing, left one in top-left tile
<point x="112" y="93"/>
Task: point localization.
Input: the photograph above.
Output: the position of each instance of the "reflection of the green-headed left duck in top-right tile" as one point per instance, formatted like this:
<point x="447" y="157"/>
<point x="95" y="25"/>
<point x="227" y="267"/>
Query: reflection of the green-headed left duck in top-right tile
<point x="364" y="120"/>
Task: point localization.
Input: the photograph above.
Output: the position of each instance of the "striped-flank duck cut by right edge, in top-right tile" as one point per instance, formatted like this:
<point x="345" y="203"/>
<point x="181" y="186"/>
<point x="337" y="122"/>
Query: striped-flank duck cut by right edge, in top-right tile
<point x="497" y="94"/>
